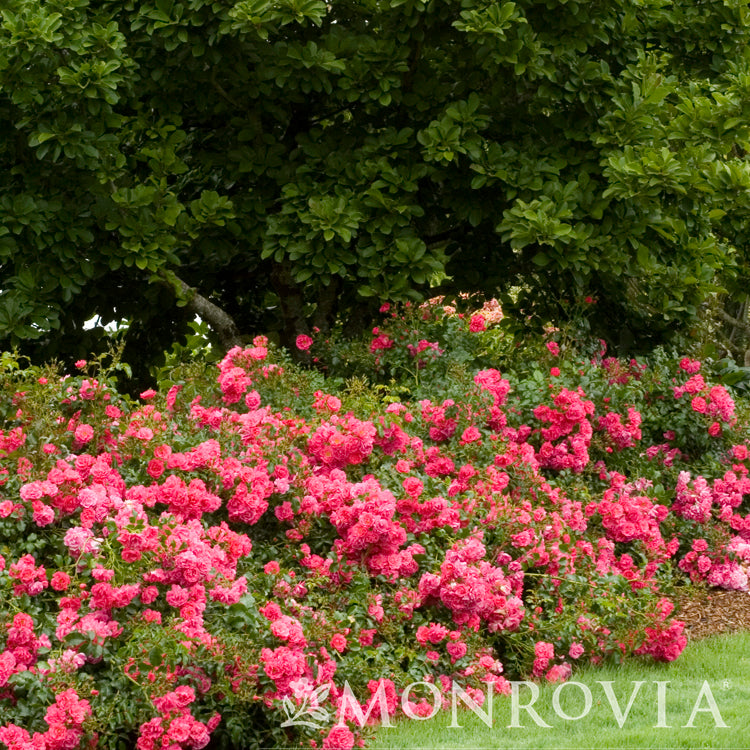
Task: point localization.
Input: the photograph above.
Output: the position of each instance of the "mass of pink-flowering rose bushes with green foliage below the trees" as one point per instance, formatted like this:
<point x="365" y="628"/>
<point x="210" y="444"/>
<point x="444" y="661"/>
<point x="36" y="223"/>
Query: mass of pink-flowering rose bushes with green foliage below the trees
<point x="233" y="559"/>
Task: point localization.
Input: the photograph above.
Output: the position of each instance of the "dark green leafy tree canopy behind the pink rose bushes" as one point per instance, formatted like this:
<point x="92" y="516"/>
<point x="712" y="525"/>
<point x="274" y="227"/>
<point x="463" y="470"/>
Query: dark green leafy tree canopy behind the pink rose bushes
<point x="278" y="163"/>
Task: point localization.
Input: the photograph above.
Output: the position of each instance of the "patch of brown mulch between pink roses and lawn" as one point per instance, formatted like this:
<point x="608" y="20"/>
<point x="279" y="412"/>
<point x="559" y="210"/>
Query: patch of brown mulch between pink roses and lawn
<point x="713" y="611"/>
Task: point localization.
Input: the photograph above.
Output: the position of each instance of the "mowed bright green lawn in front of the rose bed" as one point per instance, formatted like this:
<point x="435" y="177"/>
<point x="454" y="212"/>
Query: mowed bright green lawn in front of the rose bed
<point x="722" y="663"/>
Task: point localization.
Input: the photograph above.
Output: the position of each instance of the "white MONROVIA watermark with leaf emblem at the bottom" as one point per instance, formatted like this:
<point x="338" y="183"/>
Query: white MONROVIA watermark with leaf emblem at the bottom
<point x="309" y="713"/>
